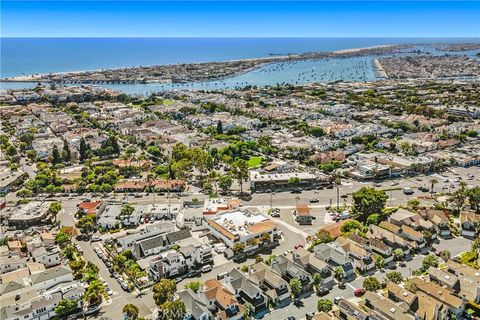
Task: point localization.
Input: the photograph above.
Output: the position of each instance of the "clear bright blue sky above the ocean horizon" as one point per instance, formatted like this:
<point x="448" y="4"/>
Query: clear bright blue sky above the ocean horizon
<point x="240" y="18"/>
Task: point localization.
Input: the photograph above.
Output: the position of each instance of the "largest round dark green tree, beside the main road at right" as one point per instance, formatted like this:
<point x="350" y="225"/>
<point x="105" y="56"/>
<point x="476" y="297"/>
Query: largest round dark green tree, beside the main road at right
<point x="367" y="201"/>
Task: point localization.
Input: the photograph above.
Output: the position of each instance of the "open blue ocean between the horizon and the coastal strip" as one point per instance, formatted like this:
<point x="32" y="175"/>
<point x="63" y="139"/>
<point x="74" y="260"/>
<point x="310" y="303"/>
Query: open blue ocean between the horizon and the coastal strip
<point x="44" y="55"/>
